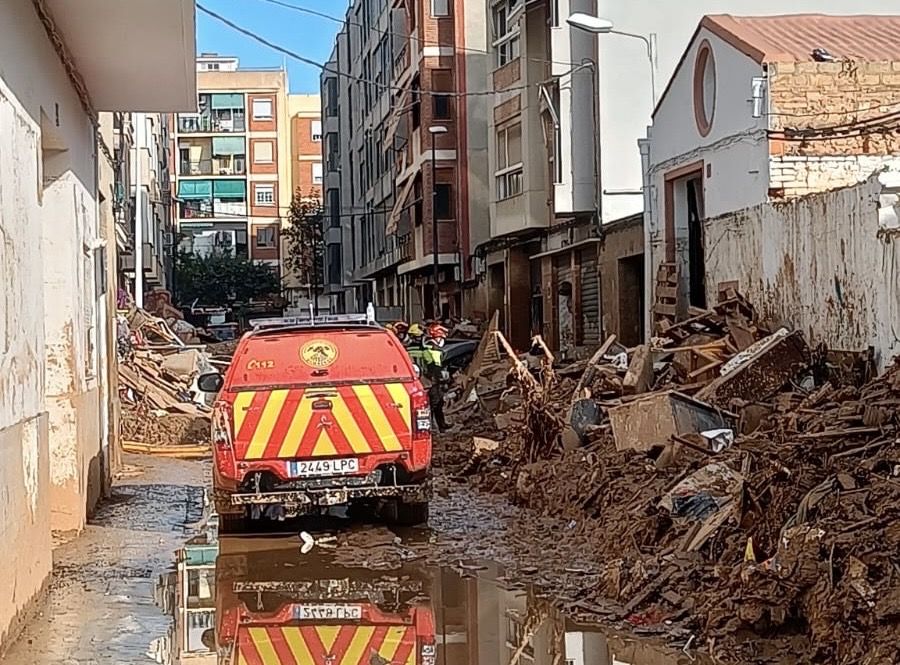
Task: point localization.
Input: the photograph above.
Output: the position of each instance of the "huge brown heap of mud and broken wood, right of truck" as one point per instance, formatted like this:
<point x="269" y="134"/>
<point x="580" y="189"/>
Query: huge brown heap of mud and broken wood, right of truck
<point x="733" y="481"/>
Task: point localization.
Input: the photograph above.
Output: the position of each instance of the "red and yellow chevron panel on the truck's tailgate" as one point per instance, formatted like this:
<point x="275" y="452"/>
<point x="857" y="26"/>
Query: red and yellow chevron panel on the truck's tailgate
<point x="361" y="419"/>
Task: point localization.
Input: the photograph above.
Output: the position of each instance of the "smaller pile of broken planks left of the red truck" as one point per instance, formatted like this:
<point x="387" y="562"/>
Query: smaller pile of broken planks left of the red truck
<point x="162" y="405"/>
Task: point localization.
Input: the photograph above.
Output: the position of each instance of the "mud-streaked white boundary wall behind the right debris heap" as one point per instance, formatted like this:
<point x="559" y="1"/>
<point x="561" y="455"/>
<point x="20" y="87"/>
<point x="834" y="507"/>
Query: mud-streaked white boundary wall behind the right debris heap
<point x="822" y="264"/>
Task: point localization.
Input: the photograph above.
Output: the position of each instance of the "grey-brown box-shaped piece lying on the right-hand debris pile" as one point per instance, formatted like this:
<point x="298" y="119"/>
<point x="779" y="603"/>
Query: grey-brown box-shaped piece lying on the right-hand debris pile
<point x="653" y="420"/>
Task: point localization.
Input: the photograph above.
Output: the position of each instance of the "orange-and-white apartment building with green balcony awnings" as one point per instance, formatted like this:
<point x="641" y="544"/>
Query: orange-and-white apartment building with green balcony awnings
<point x="231" y="161"/>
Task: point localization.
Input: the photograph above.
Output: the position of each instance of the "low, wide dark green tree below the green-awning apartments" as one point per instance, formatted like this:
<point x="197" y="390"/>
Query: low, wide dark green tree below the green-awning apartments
<point x="220" y="279"/>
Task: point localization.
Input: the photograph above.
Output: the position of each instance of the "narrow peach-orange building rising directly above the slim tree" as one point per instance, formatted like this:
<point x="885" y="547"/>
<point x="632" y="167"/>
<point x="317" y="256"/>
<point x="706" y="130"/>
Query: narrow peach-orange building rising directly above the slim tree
<point x="306" y="145"/>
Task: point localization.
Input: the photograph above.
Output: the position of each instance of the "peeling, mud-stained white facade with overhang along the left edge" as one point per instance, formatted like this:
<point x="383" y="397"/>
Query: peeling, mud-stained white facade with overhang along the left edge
<point x="63" y="65"/>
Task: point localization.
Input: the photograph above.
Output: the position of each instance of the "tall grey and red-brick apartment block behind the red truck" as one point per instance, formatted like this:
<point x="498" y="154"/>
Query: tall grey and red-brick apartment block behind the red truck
<point x="405" y="153"/>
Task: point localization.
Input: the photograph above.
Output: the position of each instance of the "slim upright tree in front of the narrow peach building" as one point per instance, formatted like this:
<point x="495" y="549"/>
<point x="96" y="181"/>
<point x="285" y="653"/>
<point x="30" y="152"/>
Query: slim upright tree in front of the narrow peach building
<point x="305" y="244"/>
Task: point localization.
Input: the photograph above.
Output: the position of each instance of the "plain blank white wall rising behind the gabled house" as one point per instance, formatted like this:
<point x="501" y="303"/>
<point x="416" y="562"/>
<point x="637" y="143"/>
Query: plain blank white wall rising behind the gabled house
<point x="625" y="100"/>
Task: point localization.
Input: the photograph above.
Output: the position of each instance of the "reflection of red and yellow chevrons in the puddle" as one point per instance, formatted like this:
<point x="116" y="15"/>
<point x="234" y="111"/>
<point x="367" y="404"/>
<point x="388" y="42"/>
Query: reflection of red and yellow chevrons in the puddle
<point x="326" y="645"/>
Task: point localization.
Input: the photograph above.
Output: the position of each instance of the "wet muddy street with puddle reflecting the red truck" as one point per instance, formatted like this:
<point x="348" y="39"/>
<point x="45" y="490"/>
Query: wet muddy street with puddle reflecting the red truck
<point x="151" y="581"/>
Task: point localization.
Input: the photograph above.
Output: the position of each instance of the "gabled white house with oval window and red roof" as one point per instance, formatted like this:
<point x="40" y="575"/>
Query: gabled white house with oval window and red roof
<point x="760" y="110"/>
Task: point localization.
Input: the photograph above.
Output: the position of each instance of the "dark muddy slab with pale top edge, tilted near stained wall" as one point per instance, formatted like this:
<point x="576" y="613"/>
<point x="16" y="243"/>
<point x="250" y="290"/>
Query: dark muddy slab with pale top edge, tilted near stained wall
<point x="766" y="368"/>
